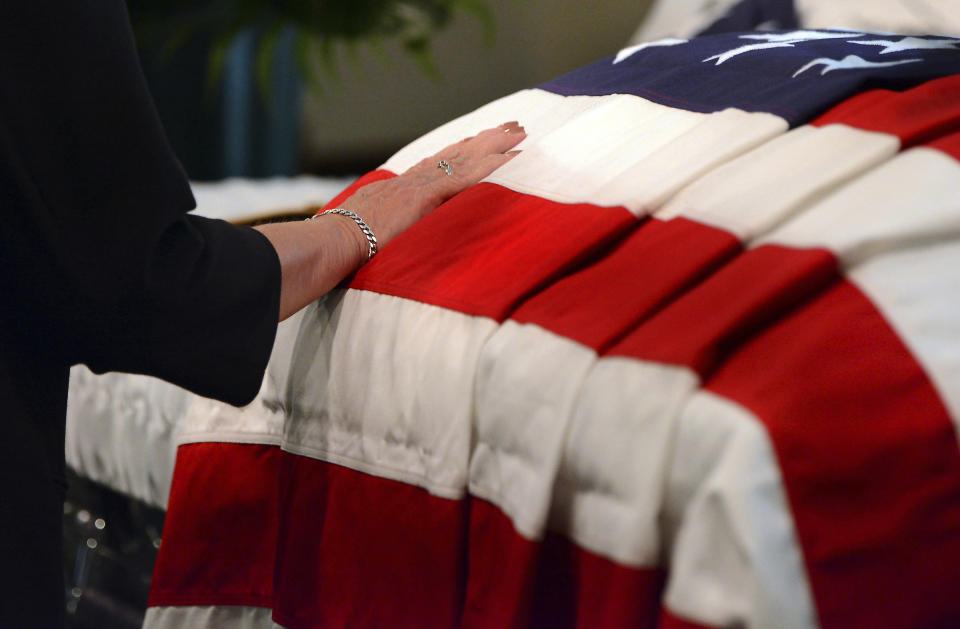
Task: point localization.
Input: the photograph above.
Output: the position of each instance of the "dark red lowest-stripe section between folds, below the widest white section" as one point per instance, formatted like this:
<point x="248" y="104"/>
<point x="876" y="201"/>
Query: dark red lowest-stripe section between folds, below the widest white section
<point x="361" y="551"/>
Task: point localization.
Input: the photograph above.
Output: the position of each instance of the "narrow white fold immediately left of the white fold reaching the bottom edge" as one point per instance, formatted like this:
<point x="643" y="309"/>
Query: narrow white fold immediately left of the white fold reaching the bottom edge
<point x="609" y="490"/>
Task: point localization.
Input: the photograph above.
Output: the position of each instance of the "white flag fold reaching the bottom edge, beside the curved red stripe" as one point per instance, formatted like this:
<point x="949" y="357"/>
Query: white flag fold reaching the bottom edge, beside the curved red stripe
<point x="736" y="560"/>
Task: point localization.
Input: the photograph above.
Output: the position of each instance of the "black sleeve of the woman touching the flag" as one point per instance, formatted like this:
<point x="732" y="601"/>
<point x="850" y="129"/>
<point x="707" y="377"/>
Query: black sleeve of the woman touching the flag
<point x="99" y="262"/>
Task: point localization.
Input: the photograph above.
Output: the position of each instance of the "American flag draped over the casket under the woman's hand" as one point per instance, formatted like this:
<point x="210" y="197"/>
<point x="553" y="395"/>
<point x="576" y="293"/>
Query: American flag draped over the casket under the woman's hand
<point x="692" y="359"/>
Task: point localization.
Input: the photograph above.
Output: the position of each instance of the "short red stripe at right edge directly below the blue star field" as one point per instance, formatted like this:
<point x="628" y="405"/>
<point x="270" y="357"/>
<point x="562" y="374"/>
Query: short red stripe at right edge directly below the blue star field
<point x="917" y="115"/>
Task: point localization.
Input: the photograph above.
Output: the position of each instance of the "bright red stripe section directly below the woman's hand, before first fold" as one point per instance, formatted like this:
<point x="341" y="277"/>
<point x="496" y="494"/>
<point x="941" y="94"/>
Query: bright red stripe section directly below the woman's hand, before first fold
<point x="487" y="248"/>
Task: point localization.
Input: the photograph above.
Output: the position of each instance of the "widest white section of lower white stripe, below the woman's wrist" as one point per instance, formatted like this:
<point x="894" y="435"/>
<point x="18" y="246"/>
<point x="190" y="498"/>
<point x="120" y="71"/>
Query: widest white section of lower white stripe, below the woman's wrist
<point x="384" y="385"/>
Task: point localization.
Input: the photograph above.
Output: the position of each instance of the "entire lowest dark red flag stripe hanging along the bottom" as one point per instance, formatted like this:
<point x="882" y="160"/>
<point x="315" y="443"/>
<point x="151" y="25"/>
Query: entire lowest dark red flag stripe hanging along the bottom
<point x="358" y="550"/>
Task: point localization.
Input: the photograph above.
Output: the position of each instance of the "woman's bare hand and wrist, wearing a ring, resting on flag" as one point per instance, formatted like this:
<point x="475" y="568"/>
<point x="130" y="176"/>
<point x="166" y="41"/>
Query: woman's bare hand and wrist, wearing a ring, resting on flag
<point x="317" y="255"/>
